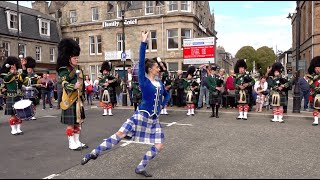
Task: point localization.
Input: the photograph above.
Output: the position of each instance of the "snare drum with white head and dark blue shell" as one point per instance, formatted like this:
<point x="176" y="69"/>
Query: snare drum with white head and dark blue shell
<point x="23" y="109"/>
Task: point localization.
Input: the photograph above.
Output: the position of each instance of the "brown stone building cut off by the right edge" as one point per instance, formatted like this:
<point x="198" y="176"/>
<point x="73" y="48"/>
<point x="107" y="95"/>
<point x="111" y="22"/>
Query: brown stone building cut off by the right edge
<point x="309" y="32"/>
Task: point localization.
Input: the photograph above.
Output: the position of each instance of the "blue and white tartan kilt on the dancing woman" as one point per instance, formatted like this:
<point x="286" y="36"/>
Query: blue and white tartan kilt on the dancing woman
<point x="144" y="128"/>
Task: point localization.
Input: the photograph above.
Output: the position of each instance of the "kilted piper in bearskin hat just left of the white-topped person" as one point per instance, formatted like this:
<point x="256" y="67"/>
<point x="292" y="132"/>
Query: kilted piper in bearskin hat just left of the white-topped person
<point x="243" y="85"/>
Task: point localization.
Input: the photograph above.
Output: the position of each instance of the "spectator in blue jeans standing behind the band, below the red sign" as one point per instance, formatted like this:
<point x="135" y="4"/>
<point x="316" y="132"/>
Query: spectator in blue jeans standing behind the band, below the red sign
<point x="204" y="91"/>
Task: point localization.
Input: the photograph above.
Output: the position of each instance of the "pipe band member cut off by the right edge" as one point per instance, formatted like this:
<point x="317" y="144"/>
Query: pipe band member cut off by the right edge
<point x="314" y="83"/>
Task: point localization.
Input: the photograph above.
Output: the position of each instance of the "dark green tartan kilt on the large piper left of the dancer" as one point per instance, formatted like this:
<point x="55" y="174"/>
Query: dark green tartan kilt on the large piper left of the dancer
<point x="69" y="116"/>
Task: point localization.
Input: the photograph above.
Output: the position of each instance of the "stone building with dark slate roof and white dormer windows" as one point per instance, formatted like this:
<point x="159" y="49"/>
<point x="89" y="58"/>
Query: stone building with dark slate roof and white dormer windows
<point x="34" y="33"/>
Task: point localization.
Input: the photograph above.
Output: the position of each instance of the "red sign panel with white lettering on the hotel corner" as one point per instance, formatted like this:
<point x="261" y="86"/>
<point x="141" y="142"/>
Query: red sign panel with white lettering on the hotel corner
<point x="198" y="52"/>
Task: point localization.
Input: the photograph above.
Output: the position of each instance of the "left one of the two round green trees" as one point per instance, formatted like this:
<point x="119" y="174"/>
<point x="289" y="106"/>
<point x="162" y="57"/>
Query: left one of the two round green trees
<point x="248" y="53"/>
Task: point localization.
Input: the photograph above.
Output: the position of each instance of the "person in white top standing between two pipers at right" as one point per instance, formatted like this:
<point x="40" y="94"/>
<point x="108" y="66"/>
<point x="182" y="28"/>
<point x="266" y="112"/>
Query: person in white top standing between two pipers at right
<point x="260" y="88"/>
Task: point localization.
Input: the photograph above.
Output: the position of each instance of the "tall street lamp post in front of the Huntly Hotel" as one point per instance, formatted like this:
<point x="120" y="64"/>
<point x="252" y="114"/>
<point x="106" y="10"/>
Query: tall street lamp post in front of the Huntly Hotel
<point x="124" y="5"/>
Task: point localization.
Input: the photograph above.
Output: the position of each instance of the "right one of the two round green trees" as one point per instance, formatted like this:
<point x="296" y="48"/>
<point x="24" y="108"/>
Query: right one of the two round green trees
<point x="265" y="58"/>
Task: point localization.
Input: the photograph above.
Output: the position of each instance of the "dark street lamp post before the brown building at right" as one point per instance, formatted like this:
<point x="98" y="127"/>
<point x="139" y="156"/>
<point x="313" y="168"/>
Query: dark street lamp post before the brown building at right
<point x="296" y="91"/>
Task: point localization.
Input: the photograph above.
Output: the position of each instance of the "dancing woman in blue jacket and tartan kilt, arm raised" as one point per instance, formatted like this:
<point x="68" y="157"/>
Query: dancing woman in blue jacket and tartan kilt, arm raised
<point x="144" y="124"/>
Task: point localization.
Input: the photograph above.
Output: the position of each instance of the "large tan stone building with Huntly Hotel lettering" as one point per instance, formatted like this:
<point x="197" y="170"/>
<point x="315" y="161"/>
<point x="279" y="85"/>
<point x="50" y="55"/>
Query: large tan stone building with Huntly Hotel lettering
<point x="97" y="26"/>
